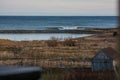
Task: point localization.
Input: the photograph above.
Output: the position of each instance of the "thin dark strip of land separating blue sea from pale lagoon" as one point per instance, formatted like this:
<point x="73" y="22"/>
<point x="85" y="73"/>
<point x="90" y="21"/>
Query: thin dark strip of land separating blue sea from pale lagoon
<point x="85" y="31"/>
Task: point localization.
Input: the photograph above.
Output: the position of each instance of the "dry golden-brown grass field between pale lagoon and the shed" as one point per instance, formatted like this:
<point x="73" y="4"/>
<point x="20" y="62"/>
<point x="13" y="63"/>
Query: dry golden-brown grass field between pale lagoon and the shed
<point x="70" y="53"/>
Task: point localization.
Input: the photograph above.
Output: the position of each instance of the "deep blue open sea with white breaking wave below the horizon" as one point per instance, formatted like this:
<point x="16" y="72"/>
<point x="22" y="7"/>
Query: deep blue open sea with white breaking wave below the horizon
<point x="60" y="22"/>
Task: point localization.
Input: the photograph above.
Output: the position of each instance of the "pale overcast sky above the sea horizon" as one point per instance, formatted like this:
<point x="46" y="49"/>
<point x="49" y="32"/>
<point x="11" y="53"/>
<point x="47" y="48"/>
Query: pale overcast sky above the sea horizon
<point x="59" y="7"/>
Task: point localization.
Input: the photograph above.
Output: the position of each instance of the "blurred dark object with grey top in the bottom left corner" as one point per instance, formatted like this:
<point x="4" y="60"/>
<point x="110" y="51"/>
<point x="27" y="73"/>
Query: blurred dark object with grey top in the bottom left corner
<point x="19" y="73"/>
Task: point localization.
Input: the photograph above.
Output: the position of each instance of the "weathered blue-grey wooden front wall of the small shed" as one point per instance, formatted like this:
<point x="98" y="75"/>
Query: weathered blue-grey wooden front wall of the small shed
<point x="102" y="62"/>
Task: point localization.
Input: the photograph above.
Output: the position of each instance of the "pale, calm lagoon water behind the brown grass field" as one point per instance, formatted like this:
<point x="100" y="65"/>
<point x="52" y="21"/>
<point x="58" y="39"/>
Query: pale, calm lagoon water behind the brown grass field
<point x="41" y="36"/>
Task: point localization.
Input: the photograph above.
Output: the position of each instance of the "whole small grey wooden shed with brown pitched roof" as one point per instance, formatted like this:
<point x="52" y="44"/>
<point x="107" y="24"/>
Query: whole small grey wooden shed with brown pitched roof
<point x="104" y="60"/>
